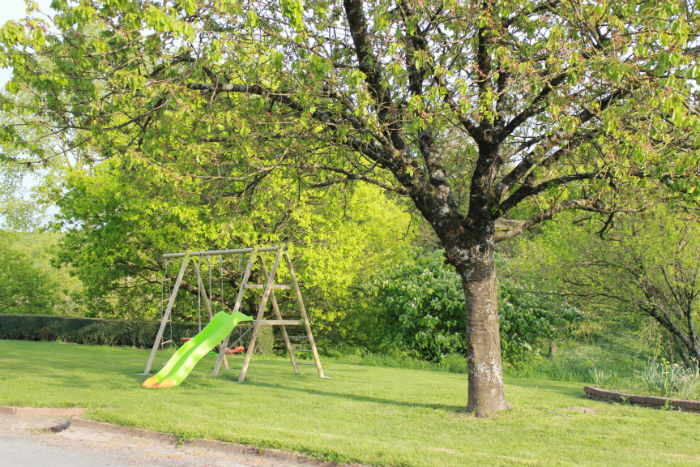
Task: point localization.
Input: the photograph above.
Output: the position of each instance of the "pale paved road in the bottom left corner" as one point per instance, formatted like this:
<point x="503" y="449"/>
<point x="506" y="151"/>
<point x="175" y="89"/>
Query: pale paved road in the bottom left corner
<point x="28" y="442"/>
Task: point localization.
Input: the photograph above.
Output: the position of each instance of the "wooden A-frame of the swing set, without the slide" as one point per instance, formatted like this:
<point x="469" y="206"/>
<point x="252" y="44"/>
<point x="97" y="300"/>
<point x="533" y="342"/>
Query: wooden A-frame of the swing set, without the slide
<point x="268" y="294"/>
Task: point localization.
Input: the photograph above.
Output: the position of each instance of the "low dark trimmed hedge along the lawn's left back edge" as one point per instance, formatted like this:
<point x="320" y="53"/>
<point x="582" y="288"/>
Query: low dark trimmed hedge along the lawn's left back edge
<point x="88" y="330"/>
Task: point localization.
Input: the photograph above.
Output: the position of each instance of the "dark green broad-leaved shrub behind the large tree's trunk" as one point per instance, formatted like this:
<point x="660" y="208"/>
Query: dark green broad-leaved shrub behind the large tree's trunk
<point x="417" y="308"/>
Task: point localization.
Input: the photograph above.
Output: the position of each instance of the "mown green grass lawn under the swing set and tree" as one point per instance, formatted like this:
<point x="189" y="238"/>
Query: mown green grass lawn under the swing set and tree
<point x="371" y="415"/>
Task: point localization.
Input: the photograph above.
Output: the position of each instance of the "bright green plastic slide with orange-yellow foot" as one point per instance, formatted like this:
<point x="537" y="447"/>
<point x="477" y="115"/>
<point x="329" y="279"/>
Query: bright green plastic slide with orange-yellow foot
<point x="181" y="364"/>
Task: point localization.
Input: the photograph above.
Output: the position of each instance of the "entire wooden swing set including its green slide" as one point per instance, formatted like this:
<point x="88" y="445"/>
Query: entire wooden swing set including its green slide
<point x="218" y="331"/>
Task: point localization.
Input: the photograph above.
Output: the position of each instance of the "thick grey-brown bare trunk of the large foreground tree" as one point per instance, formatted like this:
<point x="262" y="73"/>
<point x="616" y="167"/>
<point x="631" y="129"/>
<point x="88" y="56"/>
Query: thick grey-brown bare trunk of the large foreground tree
<point x="478" y="275"/>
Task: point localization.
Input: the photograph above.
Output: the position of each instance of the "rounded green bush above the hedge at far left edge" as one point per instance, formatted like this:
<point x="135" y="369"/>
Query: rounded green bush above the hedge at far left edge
<point x="25" y="287"/>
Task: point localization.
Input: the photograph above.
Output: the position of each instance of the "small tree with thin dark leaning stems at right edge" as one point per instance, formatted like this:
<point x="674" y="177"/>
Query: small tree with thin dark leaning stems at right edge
<point x="648" y="265"/>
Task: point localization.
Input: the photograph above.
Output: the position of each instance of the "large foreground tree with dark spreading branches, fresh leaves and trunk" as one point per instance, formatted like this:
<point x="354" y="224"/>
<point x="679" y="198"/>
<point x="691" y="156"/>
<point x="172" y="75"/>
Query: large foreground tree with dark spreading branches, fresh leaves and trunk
<point x="556" y="106"/>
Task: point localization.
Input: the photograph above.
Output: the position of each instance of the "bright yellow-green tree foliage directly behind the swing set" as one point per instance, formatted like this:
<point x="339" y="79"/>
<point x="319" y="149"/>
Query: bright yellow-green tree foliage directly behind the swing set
<point x="119" y="223"/>
